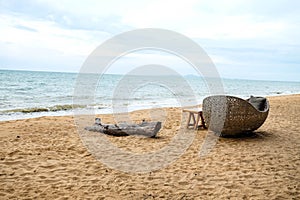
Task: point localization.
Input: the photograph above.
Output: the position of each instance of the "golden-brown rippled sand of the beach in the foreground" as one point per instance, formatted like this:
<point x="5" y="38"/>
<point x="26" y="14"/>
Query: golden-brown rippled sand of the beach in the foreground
<point x="45" y="158"/>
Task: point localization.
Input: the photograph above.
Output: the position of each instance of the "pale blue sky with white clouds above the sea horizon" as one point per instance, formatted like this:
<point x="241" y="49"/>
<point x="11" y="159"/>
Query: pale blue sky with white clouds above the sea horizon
<point x="250" y="39"/>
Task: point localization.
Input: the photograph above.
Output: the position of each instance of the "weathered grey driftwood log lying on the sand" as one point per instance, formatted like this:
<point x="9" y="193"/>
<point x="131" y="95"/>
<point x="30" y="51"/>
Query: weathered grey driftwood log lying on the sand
<point x="147" y="129"/>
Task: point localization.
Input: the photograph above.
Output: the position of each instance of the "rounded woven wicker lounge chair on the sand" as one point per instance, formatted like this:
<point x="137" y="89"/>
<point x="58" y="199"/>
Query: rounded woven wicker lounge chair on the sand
<point x="230" y="116"/>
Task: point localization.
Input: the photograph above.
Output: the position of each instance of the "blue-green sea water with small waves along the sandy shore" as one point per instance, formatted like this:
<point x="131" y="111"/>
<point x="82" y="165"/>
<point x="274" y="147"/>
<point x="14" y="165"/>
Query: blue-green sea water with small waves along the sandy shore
<point x="28" y="94"/>
